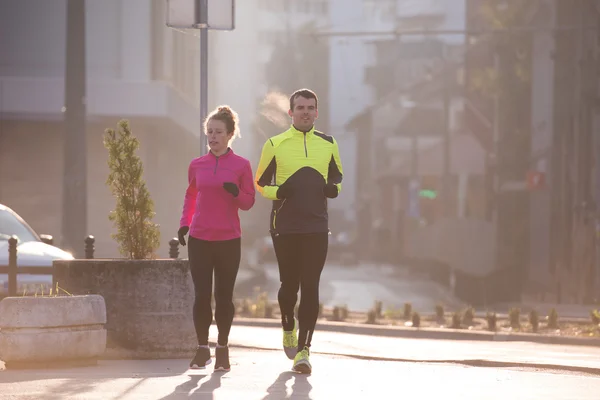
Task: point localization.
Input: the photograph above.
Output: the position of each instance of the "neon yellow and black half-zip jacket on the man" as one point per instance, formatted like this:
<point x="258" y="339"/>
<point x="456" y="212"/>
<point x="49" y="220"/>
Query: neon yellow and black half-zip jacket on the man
<point x="302" y="164"/>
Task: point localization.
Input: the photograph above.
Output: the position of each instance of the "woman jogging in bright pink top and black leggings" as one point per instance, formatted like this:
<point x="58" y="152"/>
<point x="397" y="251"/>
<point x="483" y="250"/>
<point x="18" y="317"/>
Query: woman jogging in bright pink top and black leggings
<point x="220" y="183"/>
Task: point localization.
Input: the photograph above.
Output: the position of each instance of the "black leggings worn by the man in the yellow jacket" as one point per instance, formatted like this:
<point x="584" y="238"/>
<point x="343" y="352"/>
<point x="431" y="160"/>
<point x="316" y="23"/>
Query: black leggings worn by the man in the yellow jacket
<point x="301" y="258"/>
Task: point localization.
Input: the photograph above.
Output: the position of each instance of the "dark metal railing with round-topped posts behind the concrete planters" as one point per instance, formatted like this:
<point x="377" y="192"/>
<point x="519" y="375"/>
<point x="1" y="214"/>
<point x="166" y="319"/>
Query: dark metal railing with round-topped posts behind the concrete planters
<point x="12" y="269"/>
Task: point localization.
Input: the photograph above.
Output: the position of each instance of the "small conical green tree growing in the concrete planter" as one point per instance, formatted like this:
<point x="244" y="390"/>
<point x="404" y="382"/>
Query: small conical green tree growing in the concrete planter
<point x="138" y="237"/>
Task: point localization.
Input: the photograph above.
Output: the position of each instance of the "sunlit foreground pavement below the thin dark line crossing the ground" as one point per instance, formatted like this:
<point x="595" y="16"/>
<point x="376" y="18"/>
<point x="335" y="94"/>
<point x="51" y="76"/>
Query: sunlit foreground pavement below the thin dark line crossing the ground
<point x="265" y="375"/>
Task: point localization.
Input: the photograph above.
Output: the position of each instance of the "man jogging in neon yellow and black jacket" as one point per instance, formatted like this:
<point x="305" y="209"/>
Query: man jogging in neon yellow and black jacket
<point x="299" y="170"/>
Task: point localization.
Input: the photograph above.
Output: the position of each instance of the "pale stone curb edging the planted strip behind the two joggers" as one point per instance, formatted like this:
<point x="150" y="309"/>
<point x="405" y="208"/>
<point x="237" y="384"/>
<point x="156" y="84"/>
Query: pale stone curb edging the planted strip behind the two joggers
<point x="426" y="333"/>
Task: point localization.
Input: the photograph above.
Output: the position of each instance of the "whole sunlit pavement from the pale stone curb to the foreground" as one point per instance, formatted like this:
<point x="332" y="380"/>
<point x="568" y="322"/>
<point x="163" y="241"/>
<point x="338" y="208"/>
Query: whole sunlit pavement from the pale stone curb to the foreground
<point x="344" y="366"/>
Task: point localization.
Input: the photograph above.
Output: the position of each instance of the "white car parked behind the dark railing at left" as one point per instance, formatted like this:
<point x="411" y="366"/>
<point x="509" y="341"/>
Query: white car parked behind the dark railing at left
<point x="32" y="250"/>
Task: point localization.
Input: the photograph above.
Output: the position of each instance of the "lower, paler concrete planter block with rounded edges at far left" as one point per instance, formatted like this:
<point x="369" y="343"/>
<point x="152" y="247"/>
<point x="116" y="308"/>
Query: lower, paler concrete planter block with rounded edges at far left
<point x="52" y="329"/>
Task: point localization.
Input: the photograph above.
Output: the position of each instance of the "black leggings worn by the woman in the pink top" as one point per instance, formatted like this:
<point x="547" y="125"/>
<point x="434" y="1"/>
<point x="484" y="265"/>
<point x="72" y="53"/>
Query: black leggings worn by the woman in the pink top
<point x="222" y="257"/>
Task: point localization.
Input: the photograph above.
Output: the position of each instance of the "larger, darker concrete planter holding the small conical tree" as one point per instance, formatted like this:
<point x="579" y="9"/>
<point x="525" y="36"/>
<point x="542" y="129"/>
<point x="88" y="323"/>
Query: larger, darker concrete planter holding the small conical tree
<point x="148" y="302"/>
